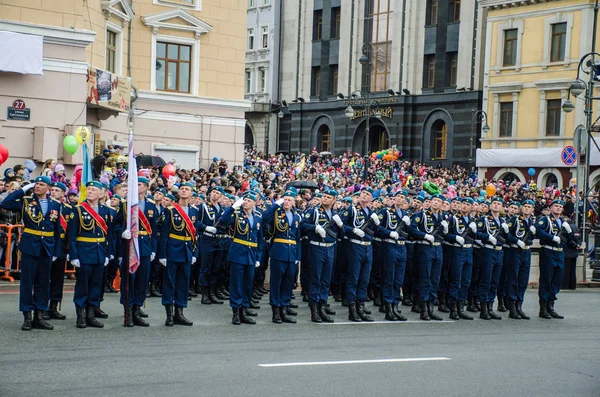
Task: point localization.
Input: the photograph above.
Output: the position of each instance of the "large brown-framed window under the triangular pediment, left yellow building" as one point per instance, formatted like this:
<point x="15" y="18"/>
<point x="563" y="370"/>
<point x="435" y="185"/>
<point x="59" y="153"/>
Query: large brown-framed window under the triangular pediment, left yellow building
<point x="173" y="67"/>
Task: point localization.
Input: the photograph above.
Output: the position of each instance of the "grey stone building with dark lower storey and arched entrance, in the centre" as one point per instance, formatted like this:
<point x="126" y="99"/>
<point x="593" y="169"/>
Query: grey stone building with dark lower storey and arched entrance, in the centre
<point x="421" y="71"/>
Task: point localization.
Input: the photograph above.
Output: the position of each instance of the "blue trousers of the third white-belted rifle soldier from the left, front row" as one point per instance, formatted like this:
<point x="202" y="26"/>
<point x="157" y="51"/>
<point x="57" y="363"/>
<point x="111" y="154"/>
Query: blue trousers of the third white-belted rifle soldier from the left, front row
<point x="393" y="267"/>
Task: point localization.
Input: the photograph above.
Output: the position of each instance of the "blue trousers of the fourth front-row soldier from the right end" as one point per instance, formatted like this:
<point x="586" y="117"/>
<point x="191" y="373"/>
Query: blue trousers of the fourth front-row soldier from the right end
<point x="459" y="273"/>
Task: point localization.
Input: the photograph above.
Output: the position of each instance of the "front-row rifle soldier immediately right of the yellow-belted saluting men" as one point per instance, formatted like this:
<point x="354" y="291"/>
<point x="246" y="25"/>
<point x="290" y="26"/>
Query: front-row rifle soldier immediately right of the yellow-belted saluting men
<point x="321" y="253"/>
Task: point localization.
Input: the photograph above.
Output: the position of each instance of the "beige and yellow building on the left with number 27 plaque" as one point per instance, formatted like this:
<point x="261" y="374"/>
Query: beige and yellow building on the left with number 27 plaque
<point x="184" y="60"/>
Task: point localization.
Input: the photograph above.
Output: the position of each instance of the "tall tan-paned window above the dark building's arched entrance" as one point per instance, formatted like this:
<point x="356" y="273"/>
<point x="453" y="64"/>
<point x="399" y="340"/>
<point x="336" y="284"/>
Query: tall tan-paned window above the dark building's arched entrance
<point x="381" y="20"/>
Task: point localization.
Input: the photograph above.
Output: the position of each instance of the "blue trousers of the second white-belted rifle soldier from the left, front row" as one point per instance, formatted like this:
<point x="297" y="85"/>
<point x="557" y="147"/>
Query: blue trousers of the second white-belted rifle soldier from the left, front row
<point x="360" y="258"/>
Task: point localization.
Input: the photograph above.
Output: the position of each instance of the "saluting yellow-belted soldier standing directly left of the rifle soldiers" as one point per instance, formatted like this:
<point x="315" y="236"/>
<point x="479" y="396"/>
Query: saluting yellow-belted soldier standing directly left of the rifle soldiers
<point x="285" y="253"/>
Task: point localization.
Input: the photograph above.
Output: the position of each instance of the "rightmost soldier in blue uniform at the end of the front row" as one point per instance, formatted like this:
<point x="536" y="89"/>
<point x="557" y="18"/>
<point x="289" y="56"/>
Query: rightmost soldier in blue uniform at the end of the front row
<point x="549" y="230"/>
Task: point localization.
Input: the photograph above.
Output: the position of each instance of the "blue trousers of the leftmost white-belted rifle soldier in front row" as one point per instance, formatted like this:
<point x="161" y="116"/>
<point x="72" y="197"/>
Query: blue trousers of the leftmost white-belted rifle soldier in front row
<point x="320" y="262"/>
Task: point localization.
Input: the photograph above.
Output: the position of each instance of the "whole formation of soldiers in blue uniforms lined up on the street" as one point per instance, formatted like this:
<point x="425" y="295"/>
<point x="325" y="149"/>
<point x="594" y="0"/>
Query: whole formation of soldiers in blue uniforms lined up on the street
<point x="425" y="252"/>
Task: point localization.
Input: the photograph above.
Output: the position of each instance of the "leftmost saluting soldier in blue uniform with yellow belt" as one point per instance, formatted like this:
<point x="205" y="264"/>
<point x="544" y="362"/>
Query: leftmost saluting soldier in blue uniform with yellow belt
<point x="39" y="247"/>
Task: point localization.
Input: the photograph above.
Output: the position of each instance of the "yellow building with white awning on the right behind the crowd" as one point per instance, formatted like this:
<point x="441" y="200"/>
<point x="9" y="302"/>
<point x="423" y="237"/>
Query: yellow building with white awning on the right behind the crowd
<point x="532" y="52"/>
